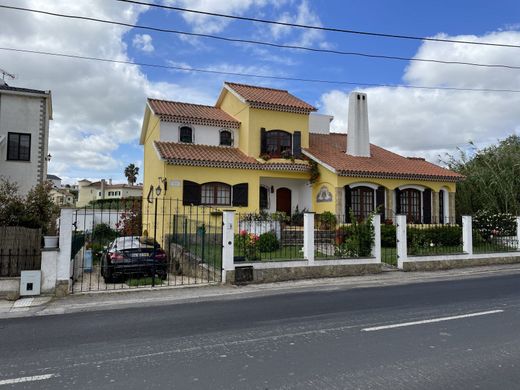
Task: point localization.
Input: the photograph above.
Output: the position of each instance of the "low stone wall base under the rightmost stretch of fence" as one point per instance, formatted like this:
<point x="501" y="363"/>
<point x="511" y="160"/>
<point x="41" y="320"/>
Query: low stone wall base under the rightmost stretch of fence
<point x="462" y="263"/>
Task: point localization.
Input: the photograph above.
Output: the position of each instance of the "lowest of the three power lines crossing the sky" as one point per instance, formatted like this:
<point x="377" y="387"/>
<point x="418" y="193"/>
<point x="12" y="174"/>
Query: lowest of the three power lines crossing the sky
<point x="285" y="78"/>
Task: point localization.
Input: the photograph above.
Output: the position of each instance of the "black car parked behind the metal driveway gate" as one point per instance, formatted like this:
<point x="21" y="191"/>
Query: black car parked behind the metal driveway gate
<point x="133" y="256"/>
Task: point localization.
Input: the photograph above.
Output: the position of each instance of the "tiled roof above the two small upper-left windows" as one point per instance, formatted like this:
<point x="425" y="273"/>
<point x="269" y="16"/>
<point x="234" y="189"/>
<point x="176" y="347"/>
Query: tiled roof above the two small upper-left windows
<point x="196" y="114"/>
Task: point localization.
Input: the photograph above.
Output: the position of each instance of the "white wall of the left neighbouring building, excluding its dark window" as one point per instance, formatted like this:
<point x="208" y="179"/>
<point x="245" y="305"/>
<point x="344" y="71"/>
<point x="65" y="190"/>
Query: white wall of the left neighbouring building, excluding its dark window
<point x="21" y="114"/>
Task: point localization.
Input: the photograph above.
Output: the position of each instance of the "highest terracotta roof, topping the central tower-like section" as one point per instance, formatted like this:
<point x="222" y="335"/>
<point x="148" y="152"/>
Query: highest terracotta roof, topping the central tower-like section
<point x="270" y="98"/>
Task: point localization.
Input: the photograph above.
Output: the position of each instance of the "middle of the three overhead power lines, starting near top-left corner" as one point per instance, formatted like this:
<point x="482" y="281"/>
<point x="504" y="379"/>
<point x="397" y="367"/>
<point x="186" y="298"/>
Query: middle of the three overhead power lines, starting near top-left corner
<point x="270" y="44"/>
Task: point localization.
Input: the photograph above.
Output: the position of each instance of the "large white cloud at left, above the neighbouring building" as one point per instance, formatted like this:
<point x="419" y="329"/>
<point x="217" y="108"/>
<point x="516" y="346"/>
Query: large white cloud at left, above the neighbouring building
<point x="98" y="107"/>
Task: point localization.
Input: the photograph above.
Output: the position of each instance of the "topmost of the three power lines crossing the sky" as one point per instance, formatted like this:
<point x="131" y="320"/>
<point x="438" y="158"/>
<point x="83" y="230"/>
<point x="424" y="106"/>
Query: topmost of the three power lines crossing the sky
<point x="320" y="28"/>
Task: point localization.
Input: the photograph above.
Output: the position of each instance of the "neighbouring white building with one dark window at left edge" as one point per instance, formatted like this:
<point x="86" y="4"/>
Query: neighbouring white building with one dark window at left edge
<point x="24" y="135"/>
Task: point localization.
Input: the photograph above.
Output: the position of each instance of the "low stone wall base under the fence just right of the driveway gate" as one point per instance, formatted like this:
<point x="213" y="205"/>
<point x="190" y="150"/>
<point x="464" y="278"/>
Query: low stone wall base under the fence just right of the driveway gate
<point x="270" y="275"/>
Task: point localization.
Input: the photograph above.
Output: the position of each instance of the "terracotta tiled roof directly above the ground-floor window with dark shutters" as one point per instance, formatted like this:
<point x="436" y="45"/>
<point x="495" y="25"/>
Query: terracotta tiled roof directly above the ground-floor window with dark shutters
<point x="217" y="157"/>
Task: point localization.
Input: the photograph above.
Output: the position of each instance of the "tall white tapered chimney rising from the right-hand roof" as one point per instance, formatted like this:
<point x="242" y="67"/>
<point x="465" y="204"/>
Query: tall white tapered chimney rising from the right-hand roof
<point x="358" y="140"/>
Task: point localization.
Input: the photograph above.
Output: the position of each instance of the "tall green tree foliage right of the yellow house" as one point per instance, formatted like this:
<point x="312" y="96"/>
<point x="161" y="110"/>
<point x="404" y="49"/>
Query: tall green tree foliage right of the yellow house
<point x="492" y="178"/>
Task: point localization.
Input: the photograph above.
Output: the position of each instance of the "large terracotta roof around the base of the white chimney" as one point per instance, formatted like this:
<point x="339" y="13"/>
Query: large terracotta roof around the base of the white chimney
<point x="330" y="149"/>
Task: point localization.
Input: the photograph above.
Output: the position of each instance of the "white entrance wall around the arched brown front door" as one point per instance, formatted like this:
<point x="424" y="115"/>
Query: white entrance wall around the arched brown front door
<point x="301" y="194"/>
